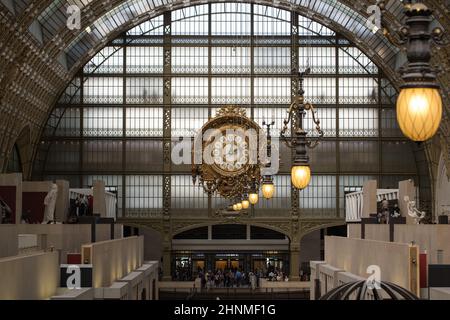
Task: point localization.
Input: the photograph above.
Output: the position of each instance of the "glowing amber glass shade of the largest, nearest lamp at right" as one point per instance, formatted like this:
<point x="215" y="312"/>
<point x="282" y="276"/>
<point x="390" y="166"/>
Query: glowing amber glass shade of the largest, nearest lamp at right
<point x="419" y="112"/>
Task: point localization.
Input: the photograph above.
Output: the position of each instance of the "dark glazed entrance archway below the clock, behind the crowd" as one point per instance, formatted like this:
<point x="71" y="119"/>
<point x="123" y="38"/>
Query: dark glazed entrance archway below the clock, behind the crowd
<point x="221" y="248"/>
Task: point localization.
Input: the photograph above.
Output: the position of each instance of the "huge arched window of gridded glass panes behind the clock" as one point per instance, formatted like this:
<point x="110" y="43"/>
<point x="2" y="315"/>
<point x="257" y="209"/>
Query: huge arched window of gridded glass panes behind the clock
<point x="164" y="78"/>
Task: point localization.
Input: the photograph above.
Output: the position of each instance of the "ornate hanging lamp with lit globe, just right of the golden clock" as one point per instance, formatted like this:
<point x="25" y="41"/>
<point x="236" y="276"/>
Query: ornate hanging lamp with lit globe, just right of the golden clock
<point x="301" y="171"/>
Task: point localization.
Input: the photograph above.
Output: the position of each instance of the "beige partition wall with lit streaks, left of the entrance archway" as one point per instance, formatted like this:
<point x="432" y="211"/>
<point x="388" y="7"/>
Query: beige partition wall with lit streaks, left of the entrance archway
<point x="113" y="259"/>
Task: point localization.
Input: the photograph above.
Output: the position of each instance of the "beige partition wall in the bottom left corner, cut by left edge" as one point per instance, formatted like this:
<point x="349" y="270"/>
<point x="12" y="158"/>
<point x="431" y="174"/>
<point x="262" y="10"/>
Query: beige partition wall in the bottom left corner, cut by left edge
<point x="30" y="277"/>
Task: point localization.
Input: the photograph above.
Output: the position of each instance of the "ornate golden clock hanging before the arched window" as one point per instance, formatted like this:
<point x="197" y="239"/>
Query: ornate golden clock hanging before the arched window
<point x="225" y="156"/>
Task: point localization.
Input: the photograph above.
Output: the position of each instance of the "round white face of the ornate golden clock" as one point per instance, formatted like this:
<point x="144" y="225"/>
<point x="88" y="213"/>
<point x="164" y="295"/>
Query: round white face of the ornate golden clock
<point x="230" y="153"/>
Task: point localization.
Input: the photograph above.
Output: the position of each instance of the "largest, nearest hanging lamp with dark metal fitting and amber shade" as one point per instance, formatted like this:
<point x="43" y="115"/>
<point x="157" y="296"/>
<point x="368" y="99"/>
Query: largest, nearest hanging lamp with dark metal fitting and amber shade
<point x="419" y="104"/>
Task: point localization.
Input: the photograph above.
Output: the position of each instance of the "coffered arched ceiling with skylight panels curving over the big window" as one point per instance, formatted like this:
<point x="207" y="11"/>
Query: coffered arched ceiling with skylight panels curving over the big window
<point x="34" y="72"/>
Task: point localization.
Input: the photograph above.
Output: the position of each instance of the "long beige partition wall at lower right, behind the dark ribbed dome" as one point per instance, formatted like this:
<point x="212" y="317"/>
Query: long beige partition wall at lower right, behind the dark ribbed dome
<point x="398" y="262"/>
